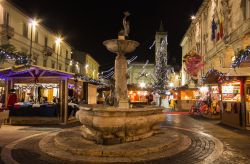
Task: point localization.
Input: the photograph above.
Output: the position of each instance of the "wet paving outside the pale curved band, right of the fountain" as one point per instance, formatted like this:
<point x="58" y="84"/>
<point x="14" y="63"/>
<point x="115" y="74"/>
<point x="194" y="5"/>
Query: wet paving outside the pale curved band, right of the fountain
<point x="236" y="142"/>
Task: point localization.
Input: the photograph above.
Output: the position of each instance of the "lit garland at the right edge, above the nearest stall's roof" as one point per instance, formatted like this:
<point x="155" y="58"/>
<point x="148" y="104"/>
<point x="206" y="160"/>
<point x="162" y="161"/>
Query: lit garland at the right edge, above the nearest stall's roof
<point x="242" y="56"/>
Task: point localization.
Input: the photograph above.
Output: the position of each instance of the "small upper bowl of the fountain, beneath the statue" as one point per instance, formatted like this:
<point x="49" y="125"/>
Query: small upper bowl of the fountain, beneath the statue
<point x="121" y="46"/>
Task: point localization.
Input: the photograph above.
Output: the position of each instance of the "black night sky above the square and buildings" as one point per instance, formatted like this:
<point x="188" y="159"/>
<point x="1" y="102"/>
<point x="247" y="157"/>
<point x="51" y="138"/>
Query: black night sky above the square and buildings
<point x="85" y="24"/>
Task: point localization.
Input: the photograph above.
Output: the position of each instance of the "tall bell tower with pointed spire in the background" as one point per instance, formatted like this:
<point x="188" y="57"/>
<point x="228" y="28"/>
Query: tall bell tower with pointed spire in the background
<point x="161" y="38"/>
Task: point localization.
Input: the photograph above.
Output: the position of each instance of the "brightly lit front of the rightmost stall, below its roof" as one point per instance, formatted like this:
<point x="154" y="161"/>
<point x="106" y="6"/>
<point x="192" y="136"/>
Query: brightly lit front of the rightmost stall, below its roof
<point x="235" y="102"/>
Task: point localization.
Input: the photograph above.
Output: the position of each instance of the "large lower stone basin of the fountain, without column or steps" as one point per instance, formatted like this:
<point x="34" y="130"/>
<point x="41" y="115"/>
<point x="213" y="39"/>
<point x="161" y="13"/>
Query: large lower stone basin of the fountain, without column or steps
<point x="113" y="126"/>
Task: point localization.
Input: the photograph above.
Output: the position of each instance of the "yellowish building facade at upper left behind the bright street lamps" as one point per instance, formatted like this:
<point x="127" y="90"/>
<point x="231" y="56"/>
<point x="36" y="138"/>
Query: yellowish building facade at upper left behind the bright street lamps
<point x="44" y="48"/>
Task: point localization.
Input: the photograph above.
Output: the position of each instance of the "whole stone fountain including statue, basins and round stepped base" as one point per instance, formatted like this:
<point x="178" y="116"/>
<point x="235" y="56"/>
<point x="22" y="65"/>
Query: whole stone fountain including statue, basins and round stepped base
<point x="111" y="134"/>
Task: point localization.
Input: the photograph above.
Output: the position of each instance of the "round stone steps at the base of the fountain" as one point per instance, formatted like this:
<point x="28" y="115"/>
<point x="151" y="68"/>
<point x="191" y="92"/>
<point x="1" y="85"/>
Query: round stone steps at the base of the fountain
<point x="72" y="147"/>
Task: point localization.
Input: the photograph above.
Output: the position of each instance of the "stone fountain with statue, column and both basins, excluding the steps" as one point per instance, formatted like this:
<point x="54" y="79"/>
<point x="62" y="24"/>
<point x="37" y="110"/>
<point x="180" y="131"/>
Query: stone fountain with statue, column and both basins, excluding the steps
<point x="112" y="125"/>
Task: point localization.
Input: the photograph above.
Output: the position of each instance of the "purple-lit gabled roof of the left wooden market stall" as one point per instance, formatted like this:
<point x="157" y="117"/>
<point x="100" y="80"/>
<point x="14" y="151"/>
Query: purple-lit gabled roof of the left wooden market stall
<point x="32" y="71"/>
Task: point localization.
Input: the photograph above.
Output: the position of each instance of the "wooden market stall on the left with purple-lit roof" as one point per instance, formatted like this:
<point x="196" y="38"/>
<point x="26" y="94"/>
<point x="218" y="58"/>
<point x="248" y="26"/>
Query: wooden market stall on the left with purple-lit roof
<point x="42" y="94"/>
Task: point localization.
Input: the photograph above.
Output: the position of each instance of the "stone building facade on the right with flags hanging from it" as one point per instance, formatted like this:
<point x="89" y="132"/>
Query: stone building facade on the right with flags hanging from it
<point x="220" y="29"/>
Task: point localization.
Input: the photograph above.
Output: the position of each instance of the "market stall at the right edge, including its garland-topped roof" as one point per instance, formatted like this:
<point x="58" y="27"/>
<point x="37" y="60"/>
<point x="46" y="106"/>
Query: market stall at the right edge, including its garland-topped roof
<point x="236" y="92"/>
